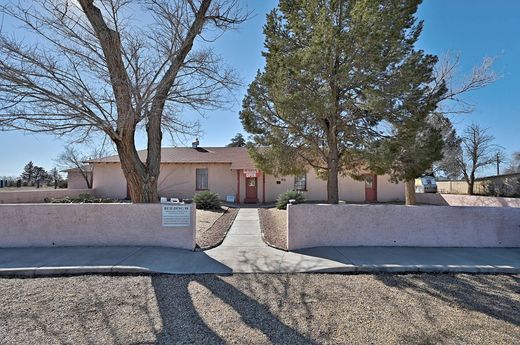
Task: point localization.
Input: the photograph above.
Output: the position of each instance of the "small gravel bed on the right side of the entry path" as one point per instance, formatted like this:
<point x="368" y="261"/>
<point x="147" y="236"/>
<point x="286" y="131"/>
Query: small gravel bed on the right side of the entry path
<point x="274" y="226"/>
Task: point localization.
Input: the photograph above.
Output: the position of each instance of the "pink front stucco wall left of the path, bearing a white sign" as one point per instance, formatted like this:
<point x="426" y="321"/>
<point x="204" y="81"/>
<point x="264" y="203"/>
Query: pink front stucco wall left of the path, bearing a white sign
<point x="50" y="225"/>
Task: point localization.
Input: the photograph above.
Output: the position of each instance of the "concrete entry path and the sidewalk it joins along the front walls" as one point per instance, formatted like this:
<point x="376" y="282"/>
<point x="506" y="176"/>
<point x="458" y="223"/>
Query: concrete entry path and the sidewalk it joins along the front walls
<point x="243" y="251"/>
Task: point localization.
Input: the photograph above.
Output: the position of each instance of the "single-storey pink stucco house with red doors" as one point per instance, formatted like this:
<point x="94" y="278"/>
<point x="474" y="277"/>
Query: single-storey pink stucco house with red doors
<point x="230" y="172"/>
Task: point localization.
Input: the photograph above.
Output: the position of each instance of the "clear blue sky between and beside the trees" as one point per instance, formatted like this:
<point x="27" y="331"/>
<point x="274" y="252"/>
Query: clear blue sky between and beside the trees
<point x="472" y="28"/>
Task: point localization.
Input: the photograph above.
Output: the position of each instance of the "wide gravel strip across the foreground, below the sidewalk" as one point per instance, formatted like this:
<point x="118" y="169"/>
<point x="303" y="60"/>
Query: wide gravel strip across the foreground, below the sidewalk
<point x="262" y="309"/>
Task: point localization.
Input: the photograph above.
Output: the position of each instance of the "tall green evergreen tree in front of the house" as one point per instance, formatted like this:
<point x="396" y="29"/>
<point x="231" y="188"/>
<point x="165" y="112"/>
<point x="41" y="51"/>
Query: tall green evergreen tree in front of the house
<point x="342" y="83"/>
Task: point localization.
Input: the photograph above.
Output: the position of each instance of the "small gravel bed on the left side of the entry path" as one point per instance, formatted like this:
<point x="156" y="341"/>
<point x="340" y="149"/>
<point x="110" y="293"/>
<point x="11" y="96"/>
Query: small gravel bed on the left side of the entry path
<point x="212" y="226"/>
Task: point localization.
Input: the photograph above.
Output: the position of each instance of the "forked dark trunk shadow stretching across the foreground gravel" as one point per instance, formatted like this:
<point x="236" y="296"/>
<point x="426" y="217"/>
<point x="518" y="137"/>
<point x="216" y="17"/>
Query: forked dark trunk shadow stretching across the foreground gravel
<point x="183" y="323"/>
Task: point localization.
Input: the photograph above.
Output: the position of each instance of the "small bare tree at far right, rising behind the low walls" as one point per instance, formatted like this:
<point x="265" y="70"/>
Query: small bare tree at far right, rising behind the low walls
<point x="478" y="151"/>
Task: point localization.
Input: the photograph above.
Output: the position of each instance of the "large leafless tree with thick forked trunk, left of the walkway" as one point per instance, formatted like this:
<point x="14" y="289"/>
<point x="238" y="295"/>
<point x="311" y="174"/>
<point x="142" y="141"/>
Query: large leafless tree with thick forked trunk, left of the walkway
<point x="115" y="66"/>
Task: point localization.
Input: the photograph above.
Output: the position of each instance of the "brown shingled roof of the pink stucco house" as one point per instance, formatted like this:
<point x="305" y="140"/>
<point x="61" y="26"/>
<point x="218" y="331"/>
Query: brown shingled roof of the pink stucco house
<point x="236" y="156"/>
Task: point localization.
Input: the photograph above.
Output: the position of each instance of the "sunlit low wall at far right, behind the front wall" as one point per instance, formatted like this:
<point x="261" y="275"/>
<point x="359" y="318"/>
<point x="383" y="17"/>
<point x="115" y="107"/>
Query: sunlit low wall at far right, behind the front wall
<point x="466" y="200"/>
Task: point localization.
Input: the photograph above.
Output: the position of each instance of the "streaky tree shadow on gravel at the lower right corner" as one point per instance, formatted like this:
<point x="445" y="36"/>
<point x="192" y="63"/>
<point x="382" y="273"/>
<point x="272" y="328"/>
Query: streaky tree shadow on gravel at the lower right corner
<point x="472" y="292"/>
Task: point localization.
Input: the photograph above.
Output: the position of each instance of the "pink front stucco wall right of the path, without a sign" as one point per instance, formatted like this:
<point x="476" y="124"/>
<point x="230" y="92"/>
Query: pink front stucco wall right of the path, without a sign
<point x="398" y="225"/>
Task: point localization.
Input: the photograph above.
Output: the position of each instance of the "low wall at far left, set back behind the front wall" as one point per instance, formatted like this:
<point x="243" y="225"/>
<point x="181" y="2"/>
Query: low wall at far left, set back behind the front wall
<point x="38" y="196"/>
